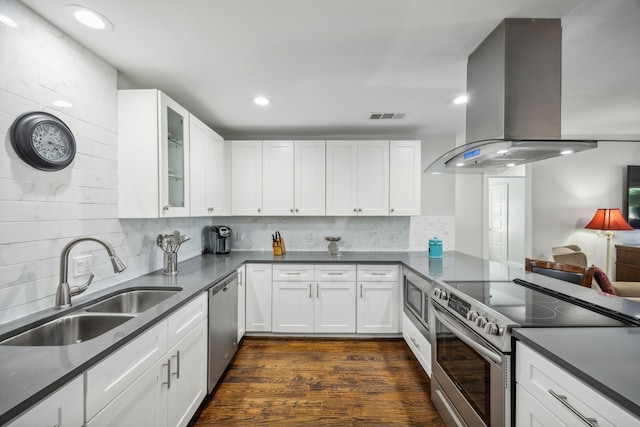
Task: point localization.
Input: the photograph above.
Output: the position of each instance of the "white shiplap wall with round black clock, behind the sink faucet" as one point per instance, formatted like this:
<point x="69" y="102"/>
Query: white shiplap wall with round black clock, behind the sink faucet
<point x="41" y="211"/>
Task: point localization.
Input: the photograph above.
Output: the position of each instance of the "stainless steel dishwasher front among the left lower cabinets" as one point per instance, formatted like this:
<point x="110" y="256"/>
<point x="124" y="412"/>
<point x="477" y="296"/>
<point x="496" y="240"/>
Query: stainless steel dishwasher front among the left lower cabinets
<point x="223" y="326"/>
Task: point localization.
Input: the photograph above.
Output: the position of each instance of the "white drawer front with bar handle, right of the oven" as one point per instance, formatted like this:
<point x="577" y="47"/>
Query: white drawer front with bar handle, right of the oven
<point x="543" y="378"/>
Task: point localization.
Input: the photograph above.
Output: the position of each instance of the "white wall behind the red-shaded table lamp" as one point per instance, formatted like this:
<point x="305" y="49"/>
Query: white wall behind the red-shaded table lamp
<point x="566" y="192"/>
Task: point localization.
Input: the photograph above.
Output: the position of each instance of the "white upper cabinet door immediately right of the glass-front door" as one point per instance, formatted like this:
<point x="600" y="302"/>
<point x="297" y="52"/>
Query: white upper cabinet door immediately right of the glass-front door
<point x="210" y="171"/>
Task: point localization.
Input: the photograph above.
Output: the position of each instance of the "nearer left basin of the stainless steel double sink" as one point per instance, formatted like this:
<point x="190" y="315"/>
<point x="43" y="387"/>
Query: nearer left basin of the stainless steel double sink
<point x="70" y="329"/>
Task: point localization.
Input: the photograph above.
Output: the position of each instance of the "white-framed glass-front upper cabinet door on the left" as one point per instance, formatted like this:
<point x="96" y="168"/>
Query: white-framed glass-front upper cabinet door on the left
<point x="174" y="158"/>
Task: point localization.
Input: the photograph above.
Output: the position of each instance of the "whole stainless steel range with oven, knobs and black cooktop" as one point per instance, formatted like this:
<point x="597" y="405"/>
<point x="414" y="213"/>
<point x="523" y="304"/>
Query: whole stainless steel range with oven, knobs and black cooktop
<point x="471" y="325"/>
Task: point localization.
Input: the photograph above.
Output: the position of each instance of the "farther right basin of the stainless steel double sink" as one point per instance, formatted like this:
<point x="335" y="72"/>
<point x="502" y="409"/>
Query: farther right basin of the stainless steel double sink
<point x="133" y="302"/>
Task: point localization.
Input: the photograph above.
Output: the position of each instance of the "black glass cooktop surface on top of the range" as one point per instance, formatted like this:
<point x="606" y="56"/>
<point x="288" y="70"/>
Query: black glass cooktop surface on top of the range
<point x="529" y="307"/>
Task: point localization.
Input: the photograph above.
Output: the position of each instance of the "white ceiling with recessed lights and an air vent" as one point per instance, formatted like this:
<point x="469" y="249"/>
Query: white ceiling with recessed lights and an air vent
<point x="328" y="64"/>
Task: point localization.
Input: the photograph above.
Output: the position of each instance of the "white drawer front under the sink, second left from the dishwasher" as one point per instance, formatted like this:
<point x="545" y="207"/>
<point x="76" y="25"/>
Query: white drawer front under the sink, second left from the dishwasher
<point x="113" y="375"/>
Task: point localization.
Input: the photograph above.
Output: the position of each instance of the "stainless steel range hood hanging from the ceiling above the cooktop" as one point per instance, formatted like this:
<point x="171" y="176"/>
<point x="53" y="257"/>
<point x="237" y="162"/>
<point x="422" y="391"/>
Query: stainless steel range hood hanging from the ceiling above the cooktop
<point x="514" y="108"/>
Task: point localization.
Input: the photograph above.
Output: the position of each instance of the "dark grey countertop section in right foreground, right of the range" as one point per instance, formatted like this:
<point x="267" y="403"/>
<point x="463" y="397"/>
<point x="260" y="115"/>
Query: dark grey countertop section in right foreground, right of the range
<point x="604" y="358"/>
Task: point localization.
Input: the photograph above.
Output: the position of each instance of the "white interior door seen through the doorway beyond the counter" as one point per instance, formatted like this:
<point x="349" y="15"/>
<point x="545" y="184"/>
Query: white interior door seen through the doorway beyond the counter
<point x="498" y="222"/>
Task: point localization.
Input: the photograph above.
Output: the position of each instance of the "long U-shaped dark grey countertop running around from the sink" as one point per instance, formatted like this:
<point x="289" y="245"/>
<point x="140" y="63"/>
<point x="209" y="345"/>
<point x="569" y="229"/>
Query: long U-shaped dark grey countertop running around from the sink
<point x="28" y="374"/>
